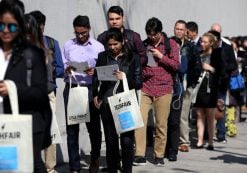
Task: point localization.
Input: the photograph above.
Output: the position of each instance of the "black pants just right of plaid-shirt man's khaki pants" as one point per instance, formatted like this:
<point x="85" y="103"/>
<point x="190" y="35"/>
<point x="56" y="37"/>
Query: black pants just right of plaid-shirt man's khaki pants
<point x="173" y="127"/>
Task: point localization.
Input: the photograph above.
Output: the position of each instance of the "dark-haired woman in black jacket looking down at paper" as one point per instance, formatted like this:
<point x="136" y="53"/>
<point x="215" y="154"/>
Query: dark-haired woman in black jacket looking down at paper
<point x="129" y="63"/>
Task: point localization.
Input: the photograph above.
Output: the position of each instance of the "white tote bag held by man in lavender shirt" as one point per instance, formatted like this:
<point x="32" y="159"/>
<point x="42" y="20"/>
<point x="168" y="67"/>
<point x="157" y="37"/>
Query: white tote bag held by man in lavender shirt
<point x="78" y="104"/>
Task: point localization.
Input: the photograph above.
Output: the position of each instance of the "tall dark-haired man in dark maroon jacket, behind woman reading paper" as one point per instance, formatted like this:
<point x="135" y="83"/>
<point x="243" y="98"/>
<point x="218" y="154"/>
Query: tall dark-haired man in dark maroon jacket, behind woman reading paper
<point x="132" y="39"/>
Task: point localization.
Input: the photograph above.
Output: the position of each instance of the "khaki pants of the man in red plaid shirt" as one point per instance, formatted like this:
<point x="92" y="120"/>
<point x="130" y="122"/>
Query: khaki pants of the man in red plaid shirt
<point x="161" y="107"/>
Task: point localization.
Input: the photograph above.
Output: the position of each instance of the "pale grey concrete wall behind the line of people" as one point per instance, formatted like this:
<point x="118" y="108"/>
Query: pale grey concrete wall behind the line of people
<point x="60" y="14"/>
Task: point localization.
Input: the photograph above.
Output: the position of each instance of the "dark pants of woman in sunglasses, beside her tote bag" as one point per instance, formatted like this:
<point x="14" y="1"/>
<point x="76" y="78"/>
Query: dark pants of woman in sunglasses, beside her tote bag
<point x="38" y="140"/>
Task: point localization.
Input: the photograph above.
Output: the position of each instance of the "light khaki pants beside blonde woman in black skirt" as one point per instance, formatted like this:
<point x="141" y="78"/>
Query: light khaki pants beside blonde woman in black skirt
<point x="184" y="120"/>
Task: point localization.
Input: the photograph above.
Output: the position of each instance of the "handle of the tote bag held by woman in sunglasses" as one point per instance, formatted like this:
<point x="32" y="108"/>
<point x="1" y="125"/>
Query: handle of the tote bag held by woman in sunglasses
<point x="12" y="90"/>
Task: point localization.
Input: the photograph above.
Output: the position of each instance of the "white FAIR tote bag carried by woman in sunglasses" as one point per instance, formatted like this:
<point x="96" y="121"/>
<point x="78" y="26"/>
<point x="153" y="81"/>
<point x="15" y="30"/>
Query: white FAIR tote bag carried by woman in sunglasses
<point x="16" y="144"/>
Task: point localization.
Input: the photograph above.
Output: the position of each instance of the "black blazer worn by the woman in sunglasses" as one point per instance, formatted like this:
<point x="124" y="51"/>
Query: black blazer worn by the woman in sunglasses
<point x="32" y="99"/>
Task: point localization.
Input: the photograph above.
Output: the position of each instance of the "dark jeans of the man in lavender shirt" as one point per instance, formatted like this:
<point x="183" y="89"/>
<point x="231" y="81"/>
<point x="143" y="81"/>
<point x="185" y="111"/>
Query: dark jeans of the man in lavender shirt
<point x="94" y="130"/>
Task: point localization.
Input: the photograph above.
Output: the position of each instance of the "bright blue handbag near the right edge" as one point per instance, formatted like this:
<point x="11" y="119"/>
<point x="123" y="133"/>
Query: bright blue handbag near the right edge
<point x="237" y="83"/>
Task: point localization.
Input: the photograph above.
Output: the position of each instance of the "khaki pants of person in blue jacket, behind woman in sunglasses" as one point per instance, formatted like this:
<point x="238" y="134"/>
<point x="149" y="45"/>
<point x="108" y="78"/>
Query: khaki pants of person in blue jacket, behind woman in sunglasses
<point x="50" y="152"/>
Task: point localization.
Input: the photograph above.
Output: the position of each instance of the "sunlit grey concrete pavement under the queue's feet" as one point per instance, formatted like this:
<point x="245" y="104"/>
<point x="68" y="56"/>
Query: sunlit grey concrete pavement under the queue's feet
<point x="226" y="158"/>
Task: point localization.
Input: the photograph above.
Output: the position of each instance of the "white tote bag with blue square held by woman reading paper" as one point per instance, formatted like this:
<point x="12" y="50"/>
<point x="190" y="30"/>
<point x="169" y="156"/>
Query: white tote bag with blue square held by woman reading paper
<point x="125" y="109"/>
